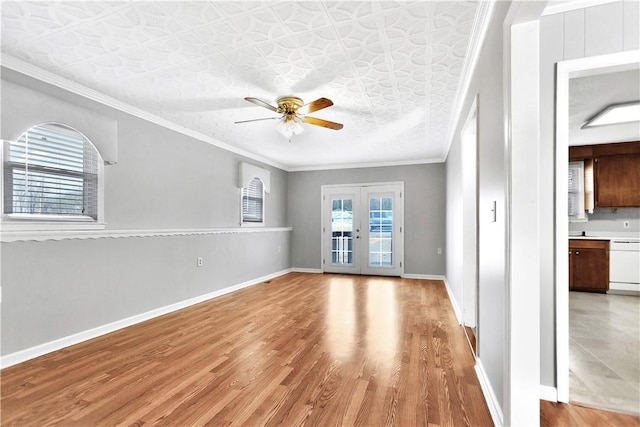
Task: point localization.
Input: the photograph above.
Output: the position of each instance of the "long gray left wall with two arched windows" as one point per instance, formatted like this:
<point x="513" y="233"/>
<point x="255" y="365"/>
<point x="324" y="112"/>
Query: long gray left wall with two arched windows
<point x="163" y="180"/>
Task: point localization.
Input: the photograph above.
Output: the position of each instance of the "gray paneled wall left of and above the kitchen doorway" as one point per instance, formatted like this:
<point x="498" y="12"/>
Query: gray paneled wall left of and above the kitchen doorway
<point x="581" y="33"/>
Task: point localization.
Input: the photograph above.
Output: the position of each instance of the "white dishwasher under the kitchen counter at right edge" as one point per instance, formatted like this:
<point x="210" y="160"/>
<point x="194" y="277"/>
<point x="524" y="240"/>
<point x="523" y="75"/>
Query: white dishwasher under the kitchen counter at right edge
<point x="624" y="266"/>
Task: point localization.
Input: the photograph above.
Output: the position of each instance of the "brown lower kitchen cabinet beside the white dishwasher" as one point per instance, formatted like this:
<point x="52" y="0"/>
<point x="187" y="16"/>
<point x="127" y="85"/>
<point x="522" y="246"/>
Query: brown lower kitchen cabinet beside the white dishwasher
<point x="589" y="265"/>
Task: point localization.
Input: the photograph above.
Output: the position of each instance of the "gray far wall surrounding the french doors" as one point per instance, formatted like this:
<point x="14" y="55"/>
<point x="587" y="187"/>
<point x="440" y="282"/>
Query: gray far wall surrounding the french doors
<point x="424" y="210"/>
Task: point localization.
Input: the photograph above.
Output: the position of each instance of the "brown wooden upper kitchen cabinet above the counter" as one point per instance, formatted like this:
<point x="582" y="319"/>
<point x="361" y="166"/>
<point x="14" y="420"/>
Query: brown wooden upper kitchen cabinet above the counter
<point x="616" y="172"/>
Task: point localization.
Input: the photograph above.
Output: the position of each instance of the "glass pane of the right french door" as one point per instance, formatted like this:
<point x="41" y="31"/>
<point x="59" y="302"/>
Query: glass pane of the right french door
<point x="380" y="232"/>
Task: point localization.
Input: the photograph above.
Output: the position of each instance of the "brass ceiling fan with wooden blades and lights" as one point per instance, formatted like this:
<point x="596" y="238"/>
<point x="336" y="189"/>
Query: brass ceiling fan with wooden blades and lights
<point x="293" y="112"/>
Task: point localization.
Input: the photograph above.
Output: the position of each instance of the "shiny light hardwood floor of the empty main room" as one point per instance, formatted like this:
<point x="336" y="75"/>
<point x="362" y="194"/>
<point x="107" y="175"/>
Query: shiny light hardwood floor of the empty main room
<point x="302" y="349"/>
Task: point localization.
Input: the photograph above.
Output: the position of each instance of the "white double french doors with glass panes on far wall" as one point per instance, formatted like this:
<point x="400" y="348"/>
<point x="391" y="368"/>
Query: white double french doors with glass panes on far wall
<point x="362" y="229"/>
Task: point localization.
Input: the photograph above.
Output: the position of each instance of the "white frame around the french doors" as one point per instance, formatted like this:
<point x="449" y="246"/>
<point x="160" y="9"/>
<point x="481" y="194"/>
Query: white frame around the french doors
<point x="398" y="225"/>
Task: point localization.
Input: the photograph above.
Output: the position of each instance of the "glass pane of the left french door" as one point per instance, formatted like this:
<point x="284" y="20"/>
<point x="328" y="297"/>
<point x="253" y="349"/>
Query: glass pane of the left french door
<point x="341" y="231"/>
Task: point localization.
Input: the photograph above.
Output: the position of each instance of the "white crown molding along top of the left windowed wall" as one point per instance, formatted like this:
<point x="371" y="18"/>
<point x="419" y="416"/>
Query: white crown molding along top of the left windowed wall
<point x="12" y="63"/>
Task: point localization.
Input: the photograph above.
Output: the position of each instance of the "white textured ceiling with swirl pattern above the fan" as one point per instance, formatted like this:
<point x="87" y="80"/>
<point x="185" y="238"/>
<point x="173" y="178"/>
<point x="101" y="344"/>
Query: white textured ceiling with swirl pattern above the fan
<point x="392" y="69"/>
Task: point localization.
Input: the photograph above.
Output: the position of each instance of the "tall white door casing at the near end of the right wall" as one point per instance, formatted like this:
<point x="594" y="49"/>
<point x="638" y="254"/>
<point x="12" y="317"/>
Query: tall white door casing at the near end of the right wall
<point x="521" y="379"/>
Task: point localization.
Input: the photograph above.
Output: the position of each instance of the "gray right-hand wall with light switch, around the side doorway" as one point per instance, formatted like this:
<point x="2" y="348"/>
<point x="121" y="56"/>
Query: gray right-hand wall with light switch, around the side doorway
<point x="487" y="83"/>
